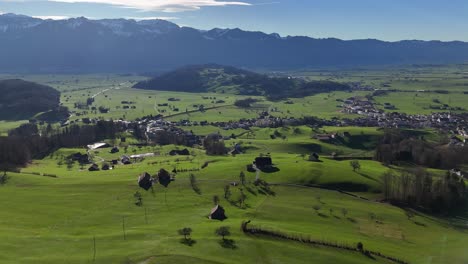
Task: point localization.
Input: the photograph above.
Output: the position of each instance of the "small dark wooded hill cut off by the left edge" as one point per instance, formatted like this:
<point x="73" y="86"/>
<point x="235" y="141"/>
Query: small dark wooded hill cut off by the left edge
<point x="22" y="100"/>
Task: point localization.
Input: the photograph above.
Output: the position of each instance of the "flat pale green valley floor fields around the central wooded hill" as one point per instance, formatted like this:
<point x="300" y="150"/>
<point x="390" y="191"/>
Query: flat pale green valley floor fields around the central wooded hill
<point x="109" y="90"/>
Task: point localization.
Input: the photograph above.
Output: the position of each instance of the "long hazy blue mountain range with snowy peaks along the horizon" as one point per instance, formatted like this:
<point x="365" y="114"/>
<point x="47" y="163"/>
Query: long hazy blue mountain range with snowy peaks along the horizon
<point x="119" y="45"/>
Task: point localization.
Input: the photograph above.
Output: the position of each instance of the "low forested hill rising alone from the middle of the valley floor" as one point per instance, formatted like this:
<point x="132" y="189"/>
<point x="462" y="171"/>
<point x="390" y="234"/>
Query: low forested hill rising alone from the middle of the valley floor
<point x="227" y="79"/>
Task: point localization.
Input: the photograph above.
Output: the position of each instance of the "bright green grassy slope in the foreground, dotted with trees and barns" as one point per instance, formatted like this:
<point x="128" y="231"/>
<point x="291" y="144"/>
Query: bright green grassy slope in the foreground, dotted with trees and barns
<point x="58" y="218"/>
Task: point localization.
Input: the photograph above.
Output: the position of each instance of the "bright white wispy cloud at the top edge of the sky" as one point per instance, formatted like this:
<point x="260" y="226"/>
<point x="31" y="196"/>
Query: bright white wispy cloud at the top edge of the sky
<point x="160" y="5"/>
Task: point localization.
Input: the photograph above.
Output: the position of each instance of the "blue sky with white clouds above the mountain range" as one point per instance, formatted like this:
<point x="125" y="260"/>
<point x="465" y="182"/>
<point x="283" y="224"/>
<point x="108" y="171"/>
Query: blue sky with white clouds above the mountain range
<point x="346" y="19"/>
